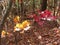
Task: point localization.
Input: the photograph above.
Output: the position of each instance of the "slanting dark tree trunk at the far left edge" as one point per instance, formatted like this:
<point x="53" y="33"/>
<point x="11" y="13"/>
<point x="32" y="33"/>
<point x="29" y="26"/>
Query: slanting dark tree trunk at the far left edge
<point x="4" y="17"/>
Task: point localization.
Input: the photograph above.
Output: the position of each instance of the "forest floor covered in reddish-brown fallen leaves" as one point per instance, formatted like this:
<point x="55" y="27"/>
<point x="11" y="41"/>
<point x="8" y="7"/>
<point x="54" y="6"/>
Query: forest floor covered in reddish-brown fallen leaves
<point x="49" y="34"/>
